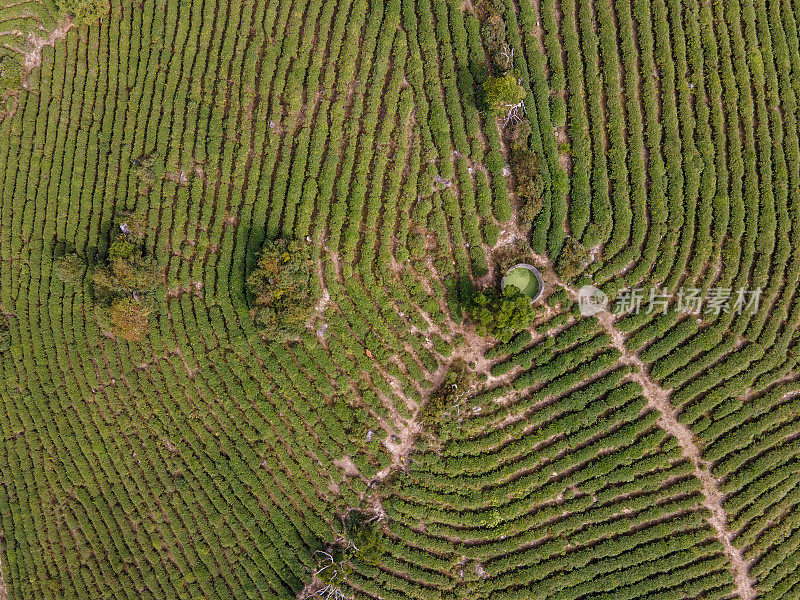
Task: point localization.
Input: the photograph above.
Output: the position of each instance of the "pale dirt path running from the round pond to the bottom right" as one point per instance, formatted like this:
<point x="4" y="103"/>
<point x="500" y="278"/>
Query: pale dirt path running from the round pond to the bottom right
<point x="659" y="399"/>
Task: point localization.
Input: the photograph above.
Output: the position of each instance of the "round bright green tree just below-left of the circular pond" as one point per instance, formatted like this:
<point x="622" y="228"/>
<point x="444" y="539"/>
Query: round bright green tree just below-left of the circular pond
<point x="501" y="315"/>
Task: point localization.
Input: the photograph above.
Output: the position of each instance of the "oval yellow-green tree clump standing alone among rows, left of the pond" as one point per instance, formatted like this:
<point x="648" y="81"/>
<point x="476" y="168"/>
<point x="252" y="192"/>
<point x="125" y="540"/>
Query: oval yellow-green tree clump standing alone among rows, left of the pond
<point x="281" y="288"/>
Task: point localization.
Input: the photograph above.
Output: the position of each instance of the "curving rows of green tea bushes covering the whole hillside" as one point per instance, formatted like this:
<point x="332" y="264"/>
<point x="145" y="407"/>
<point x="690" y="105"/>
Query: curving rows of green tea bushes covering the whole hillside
<point x="554" y="480"/>
